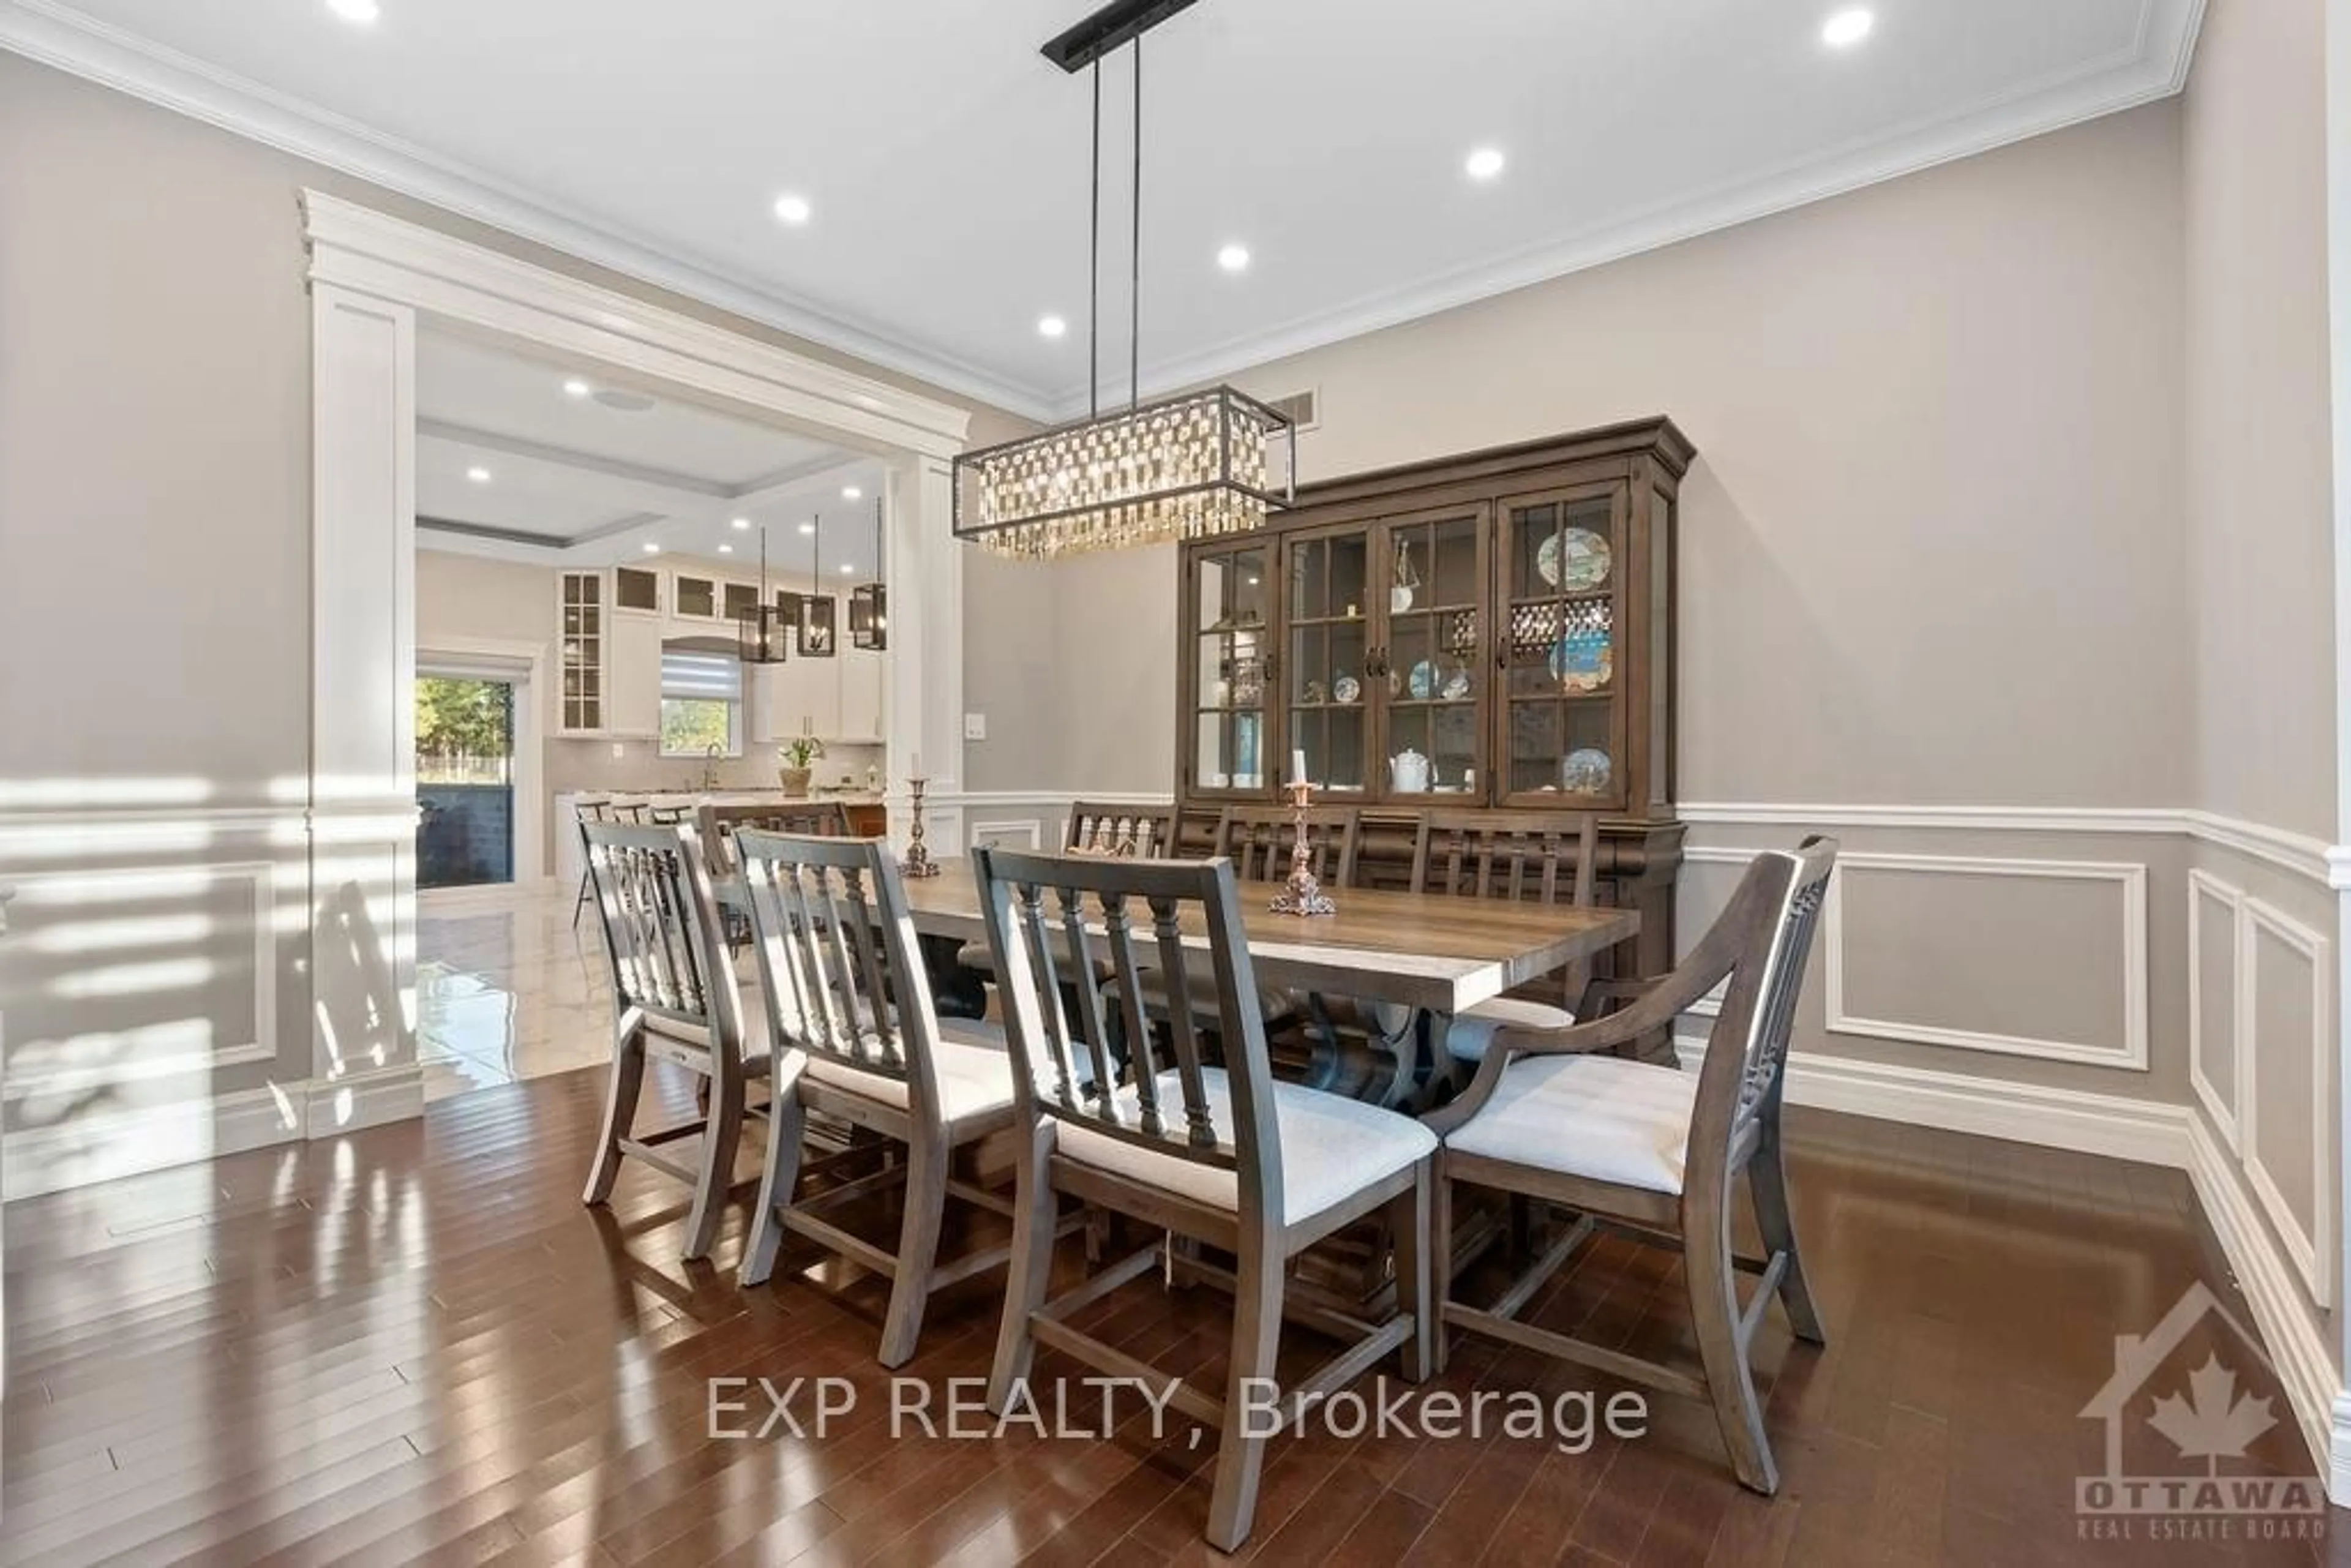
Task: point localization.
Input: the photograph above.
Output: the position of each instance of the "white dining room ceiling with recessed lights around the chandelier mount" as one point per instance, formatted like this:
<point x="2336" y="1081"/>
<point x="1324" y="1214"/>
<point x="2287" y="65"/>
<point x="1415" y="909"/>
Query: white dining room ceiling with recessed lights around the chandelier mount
<point x="946" y="161"/>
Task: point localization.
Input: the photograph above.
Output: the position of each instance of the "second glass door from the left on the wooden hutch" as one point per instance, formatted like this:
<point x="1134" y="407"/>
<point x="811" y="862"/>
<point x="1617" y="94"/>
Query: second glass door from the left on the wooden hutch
<point x="1327" y="678"/>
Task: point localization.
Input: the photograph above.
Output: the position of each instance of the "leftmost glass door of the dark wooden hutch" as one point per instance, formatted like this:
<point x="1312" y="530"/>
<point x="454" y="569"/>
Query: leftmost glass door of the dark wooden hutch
<point x="1226" y="671"/>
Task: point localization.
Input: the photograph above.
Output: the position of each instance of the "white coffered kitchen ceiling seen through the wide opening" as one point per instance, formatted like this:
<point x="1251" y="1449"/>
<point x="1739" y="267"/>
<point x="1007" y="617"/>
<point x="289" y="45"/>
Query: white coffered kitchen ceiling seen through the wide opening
<point x="580" y="483"/>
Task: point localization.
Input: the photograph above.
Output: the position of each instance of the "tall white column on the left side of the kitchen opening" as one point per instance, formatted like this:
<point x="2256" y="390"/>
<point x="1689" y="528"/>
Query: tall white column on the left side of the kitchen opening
<point x="363" y="718"/>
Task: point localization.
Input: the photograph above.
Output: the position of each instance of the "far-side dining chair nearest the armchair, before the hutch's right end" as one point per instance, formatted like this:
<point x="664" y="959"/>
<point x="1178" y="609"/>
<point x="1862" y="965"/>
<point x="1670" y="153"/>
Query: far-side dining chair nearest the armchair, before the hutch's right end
<point x="1527" y="857"/>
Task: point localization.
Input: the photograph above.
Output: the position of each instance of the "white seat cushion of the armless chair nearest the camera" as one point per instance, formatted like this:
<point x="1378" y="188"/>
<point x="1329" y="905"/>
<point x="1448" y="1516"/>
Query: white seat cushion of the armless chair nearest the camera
<point x="1332" y="1148"/>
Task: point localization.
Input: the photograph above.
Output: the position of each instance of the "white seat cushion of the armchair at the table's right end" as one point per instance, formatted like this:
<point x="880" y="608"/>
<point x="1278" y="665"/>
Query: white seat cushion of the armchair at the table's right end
<point x="1588" y="1115"/>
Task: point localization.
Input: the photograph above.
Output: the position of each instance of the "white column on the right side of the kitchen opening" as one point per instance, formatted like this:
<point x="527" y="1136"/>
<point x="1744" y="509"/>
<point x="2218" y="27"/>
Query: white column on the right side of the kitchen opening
<point x="925" y="650"/>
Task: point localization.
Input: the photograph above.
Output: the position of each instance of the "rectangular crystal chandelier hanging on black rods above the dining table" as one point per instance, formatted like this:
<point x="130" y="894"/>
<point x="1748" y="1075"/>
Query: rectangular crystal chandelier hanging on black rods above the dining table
<point x="1188" y="467"/>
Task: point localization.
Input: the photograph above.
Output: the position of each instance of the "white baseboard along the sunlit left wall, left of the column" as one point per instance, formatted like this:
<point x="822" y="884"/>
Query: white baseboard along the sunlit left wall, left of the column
<point x="102" y="1148"/>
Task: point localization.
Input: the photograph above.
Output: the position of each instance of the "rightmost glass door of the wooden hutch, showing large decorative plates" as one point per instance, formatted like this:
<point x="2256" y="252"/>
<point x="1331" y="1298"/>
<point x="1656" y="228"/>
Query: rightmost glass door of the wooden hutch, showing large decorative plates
<point x="1560" y="728"/>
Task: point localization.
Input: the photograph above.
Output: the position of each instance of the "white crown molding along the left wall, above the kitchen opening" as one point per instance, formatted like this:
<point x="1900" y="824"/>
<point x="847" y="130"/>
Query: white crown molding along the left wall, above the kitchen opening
<point x="100" y="53"/>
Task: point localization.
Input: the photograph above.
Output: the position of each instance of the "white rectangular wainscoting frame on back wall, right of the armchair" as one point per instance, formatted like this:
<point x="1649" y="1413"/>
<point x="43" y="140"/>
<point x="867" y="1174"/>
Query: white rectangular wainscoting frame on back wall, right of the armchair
<point x="2126" y="878"/>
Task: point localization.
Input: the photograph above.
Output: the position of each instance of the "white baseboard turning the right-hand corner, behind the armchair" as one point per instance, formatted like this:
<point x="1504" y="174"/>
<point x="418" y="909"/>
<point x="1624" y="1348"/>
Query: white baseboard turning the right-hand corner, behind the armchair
<point x="2119" y="1130"/>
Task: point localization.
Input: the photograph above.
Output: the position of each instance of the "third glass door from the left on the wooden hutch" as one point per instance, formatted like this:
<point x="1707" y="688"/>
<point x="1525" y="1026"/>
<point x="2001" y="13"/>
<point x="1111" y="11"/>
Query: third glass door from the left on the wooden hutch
<point x="1433" y="674"/>
